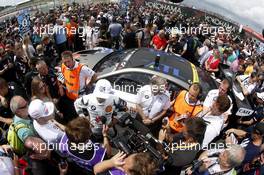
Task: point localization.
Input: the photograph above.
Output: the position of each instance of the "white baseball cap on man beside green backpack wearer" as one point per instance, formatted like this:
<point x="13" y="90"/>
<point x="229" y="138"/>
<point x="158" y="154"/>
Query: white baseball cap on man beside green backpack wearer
<point x="37" y="109"/>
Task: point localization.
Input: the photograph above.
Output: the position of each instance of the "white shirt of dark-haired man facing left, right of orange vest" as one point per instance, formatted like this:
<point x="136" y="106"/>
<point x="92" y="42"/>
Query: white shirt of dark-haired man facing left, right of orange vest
<point x="214" y="126"/>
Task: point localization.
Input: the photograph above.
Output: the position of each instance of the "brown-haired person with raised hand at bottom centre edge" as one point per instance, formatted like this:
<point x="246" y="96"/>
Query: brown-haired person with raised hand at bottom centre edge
<point x="121" y="164"/>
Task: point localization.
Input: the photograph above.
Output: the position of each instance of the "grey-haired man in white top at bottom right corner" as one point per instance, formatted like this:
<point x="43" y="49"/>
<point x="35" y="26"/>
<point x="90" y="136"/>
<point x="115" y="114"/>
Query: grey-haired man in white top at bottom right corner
<point x="215" y="162"/>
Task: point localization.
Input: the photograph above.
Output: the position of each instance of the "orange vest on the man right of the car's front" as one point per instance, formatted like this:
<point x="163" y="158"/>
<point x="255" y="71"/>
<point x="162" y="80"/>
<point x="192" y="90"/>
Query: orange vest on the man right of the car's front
<point x="182" y="107"/>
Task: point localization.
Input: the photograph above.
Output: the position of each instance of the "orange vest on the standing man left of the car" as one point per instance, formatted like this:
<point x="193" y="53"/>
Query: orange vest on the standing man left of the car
<point x="72" y="81"/>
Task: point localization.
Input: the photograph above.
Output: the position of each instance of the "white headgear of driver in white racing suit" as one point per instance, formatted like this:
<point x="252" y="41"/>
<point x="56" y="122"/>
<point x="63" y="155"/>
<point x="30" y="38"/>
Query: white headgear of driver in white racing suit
<point x="103" y="89"/>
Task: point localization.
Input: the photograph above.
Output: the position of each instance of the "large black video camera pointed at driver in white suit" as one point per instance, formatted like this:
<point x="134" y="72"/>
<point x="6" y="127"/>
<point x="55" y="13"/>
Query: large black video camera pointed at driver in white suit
<point x="137" y="138"/>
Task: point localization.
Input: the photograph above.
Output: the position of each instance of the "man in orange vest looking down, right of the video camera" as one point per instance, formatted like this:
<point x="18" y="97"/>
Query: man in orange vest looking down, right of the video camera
<point x="187" y="104"/>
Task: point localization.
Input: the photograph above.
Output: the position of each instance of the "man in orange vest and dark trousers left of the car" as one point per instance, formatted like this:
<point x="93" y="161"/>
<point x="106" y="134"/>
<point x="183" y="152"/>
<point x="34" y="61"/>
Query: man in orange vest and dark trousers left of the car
<point x="77" y="77"/>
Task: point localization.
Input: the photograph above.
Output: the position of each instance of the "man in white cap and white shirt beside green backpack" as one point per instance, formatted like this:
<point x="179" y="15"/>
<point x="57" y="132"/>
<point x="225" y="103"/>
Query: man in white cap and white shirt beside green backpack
<point x="47" y="128"/>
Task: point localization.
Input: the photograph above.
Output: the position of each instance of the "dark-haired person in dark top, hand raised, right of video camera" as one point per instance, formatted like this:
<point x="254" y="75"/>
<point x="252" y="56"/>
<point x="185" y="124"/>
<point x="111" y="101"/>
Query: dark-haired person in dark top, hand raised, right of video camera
<point x="183" y="152"/>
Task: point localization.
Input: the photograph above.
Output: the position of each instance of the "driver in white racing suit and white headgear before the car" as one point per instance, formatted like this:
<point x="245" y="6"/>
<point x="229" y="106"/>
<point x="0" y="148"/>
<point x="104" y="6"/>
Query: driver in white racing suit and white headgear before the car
<point x="99" y="106"/>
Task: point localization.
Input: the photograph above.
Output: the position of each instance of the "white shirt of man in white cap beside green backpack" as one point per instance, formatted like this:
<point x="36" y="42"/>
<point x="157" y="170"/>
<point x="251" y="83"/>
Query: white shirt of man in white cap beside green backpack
<point x="49" y="132"/>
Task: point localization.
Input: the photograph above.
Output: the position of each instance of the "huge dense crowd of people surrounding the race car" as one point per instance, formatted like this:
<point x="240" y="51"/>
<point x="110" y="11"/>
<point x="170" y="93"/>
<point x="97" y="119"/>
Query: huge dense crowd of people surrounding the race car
<point x="52" y="125"/>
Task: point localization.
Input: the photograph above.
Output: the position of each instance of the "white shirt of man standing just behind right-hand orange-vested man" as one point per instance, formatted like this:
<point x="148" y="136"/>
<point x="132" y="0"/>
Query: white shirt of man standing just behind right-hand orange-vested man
<point x="211" y="98"/>
